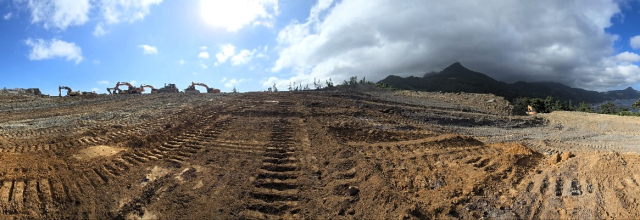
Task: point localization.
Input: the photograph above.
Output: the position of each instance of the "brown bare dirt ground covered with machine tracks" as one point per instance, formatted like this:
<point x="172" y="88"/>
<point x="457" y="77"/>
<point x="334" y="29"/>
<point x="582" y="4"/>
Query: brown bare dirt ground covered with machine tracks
<point x="311" y="155"/>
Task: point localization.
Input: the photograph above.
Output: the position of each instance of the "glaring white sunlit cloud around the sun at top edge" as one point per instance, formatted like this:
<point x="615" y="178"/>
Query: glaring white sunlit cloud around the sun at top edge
<point x="233" y="15"/>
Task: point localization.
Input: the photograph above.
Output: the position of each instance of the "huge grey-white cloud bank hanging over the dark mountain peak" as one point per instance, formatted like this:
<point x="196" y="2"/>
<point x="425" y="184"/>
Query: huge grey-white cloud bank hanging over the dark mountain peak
<point x="546" y="40"/>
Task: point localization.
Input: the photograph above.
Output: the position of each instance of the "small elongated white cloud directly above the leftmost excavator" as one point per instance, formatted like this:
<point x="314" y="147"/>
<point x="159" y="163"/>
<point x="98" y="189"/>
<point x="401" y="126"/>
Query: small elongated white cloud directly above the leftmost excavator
<point x="43" y="50"/>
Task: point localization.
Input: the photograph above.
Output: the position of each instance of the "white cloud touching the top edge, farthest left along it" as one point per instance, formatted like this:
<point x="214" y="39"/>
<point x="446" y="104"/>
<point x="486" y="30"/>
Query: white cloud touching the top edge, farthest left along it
<point x="58" y="13"/>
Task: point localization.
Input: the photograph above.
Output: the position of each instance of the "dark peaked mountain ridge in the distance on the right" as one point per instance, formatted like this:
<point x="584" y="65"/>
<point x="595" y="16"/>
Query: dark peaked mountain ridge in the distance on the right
<point x="457" y="78"/>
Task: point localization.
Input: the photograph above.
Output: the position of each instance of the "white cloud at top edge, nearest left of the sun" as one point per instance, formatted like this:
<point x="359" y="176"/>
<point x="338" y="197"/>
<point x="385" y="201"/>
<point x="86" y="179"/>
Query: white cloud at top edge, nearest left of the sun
<point x="116" y="11"/>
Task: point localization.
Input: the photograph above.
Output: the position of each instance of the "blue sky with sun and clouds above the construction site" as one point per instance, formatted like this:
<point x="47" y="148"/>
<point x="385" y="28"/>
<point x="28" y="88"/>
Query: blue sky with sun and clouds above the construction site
<point x="251" y="45"/>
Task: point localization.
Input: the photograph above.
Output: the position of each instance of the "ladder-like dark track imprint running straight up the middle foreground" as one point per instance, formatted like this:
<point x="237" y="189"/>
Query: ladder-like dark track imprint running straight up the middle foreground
<point x="276" y="190"/>
